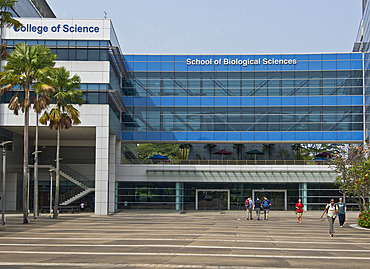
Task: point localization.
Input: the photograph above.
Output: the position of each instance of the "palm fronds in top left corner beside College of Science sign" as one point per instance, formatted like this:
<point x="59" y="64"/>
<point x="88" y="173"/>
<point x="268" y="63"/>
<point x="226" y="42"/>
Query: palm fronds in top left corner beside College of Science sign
<point x="7" y="20"/>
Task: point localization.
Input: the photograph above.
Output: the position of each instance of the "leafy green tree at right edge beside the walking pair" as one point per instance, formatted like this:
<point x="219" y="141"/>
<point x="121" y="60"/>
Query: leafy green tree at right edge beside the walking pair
<point x="353" y="174"/>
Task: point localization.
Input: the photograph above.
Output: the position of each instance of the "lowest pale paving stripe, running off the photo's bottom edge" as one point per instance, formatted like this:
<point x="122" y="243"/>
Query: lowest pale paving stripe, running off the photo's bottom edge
<point x="121" y="265"/>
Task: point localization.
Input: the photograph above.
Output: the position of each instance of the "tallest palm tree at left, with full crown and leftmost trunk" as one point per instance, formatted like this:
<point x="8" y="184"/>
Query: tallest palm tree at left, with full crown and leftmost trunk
<point x="26" y="66"/>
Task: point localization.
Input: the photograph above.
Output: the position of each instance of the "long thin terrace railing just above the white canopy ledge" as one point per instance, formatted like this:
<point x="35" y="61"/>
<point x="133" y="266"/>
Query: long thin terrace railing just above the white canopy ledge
<point x="226" y="162"/>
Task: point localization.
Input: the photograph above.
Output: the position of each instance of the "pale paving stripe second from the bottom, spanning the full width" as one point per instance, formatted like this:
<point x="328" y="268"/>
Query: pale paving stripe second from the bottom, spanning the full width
<point x="186" y="255"/>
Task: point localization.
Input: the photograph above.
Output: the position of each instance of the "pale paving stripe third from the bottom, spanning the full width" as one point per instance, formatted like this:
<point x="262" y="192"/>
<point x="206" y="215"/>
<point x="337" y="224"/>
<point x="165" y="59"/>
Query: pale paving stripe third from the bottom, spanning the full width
<point x="190" y="246"/>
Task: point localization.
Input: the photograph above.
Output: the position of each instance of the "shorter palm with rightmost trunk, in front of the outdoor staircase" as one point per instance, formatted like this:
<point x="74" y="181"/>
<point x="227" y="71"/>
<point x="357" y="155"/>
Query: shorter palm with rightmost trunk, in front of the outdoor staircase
<point x="63" y="115"/>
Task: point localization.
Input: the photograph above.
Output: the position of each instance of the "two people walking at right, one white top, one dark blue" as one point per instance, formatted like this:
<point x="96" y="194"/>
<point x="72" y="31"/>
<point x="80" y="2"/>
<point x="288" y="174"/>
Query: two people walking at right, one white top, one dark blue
<point x="333" y="210"/>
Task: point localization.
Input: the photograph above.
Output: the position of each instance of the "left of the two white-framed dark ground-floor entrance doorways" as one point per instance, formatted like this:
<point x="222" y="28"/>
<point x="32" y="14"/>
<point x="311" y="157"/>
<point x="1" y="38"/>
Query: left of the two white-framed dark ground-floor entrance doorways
<point x="212" y="199"/>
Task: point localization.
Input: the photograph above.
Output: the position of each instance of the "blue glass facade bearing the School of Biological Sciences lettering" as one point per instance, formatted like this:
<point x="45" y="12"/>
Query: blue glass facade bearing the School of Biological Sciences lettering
<point x="244" y="98"/>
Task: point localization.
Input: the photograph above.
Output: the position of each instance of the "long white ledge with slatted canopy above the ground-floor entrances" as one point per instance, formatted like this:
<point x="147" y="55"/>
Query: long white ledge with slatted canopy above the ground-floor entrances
<point x="225" y="173"/>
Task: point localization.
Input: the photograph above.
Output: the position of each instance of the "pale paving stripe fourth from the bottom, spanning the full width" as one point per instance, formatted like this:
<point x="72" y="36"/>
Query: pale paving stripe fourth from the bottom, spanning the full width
<point x="186" y="239"/>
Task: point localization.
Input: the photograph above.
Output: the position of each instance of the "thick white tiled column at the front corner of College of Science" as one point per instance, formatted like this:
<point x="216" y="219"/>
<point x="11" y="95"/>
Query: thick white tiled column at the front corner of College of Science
<point x="102" y="168"/>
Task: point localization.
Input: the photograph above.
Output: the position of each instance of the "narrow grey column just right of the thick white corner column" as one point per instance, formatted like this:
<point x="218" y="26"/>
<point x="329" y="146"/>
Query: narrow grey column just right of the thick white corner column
<point x="112" y="172"/>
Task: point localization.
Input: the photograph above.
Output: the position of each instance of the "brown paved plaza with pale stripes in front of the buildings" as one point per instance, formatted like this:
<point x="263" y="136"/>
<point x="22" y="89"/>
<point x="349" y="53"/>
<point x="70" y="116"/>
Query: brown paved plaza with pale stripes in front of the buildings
<point x="167" y="239"/>
